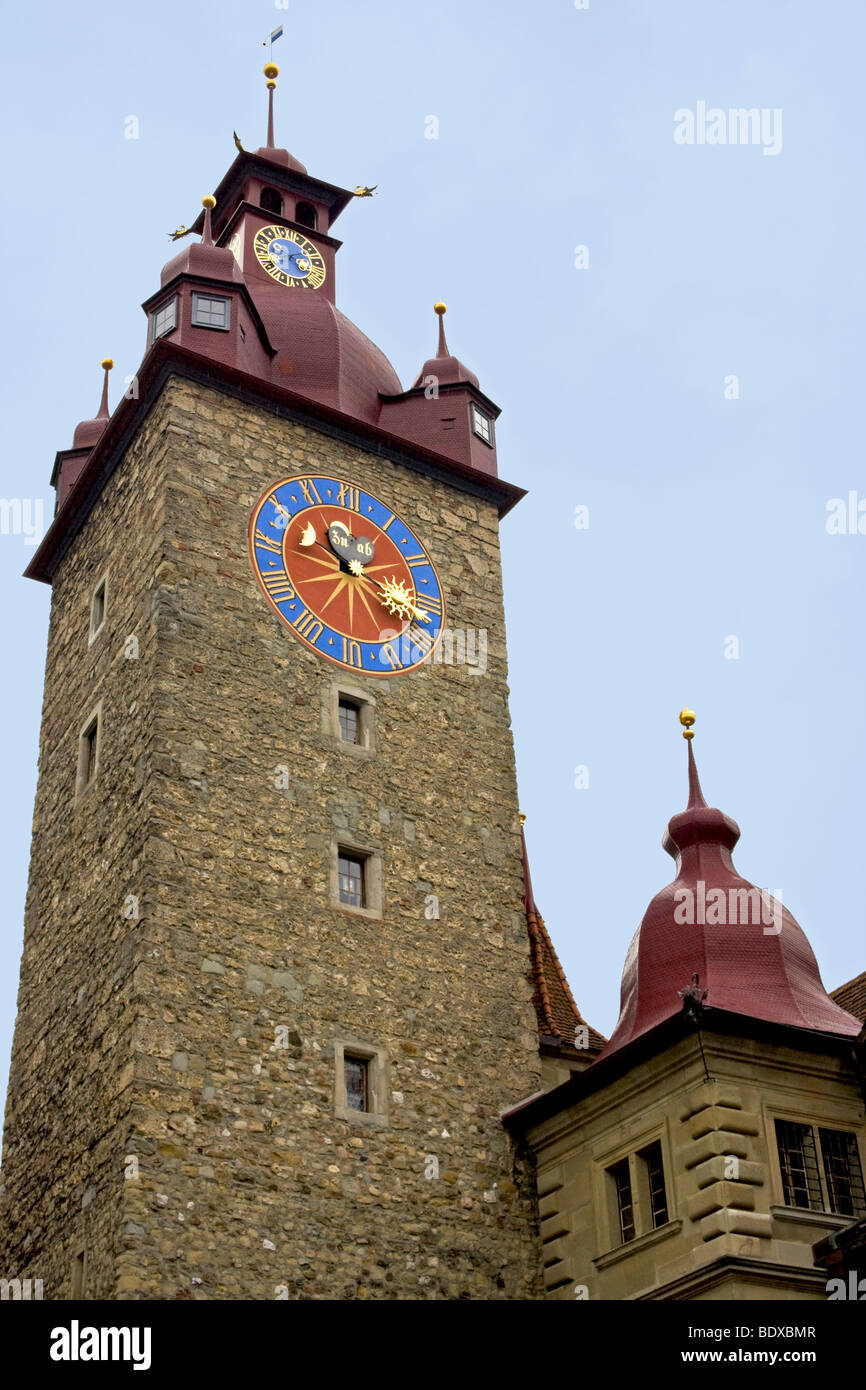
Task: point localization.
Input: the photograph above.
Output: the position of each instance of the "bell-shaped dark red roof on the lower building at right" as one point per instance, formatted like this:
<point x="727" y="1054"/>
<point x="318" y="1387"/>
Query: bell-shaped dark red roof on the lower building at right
<point x="749" y="953"/>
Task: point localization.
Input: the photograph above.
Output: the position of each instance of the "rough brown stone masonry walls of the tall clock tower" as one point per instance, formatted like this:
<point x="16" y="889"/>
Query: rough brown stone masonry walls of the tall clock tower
<point x="188" y="982"/>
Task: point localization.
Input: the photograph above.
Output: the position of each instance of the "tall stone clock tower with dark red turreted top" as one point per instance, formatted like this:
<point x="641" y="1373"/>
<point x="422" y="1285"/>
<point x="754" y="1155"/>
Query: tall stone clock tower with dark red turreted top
<point x="277" y="983"/>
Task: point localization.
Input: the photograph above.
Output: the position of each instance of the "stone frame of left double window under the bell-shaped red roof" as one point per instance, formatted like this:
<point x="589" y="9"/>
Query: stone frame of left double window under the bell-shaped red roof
<point x="608" y="1220"/>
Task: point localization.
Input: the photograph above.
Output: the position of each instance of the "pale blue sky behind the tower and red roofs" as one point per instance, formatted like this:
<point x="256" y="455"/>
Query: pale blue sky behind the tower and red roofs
<point x="673" y="333"/>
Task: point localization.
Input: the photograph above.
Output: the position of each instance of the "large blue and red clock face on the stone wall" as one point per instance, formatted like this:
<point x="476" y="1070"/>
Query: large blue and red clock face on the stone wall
<point x="347" y="575"/>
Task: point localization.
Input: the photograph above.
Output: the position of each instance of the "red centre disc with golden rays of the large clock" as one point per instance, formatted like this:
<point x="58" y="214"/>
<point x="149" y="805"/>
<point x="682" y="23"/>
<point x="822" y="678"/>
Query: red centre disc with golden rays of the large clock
<point x="351" y="604"/>
